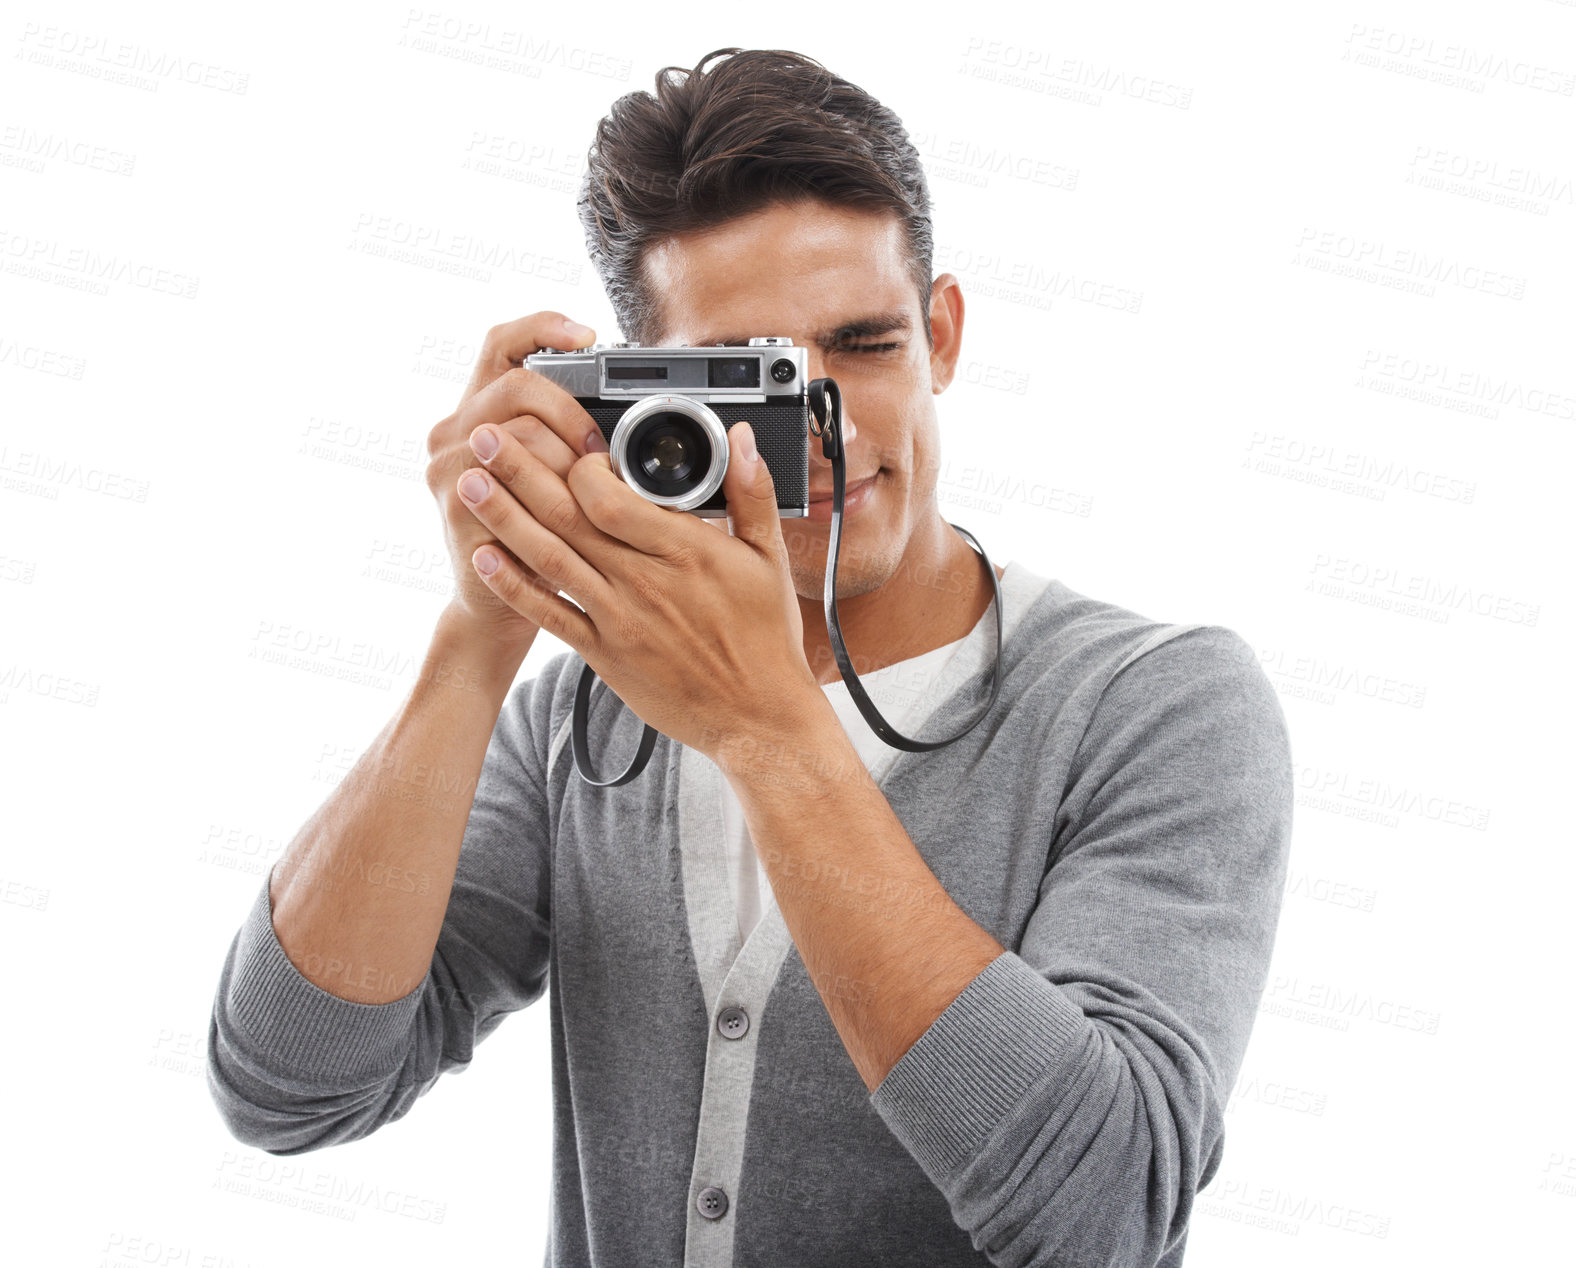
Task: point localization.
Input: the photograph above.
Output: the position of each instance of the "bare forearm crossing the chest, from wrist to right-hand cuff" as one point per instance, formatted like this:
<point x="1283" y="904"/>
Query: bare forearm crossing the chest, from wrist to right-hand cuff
<point x="885" y="944"/>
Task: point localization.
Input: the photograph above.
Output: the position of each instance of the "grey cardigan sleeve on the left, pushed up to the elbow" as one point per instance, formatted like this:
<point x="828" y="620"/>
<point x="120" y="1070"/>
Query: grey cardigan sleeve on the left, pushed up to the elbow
<point x="295" y="1069"/>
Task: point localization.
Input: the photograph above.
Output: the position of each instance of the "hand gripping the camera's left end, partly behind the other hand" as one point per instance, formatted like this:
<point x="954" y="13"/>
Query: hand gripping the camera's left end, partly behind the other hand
<point x="537" y="412"/>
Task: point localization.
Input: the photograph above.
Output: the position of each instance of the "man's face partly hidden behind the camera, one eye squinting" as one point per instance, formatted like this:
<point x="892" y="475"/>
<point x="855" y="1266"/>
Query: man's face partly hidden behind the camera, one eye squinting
<point x="812" y="272"/>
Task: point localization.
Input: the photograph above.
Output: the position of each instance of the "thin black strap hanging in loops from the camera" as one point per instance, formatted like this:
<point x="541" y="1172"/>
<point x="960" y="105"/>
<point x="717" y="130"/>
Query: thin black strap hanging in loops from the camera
<point x="827" y="406"/>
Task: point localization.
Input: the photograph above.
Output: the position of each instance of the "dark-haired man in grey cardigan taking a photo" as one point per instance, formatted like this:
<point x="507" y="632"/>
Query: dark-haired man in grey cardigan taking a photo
<point x="816" y="1001"/>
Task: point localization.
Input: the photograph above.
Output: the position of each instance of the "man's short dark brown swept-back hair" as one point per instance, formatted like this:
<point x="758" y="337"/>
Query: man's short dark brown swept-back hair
<point x="762" y="127"/>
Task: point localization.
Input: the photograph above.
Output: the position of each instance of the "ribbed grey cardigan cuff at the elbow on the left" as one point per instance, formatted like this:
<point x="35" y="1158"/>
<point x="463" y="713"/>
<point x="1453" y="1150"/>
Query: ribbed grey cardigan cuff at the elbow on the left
<point x="305" y="1031"/>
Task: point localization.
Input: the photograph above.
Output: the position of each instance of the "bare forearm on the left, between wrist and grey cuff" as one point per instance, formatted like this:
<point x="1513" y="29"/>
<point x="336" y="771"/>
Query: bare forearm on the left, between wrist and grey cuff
<point x="360" y="895"/>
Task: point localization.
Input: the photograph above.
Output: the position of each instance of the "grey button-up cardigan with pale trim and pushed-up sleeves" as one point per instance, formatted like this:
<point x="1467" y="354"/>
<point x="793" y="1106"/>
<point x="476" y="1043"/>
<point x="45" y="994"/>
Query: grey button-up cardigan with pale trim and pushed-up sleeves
<point x="1120" y="821"/>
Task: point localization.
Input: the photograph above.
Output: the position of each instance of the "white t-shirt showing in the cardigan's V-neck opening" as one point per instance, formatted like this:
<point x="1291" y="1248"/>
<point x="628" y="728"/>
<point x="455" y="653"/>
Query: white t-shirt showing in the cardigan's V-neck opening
<point x="896" y="691"/>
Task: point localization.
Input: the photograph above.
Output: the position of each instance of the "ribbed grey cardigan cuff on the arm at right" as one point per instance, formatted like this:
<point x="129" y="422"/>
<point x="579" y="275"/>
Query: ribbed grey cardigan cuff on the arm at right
<point x="1003" y="1034"/>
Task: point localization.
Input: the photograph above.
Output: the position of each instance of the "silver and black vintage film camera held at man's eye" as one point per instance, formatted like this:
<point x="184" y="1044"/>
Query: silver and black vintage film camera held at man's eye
<point x="666" y="412"/>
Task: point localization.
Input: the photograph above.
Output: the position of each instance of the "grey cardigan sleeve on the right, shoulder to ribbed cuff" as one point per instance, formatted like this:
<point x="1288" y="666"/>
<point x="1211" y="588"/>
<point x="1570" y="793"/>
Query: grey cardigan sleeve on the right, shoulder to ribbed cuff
<point x="1069" y="1102"/>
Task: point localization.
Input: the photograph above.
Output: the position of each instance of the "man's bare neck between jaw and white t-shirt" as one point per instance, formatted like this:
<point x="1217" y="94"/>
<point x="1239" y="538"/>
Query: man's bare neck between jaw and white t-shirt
<point x="935" y="598"/>
